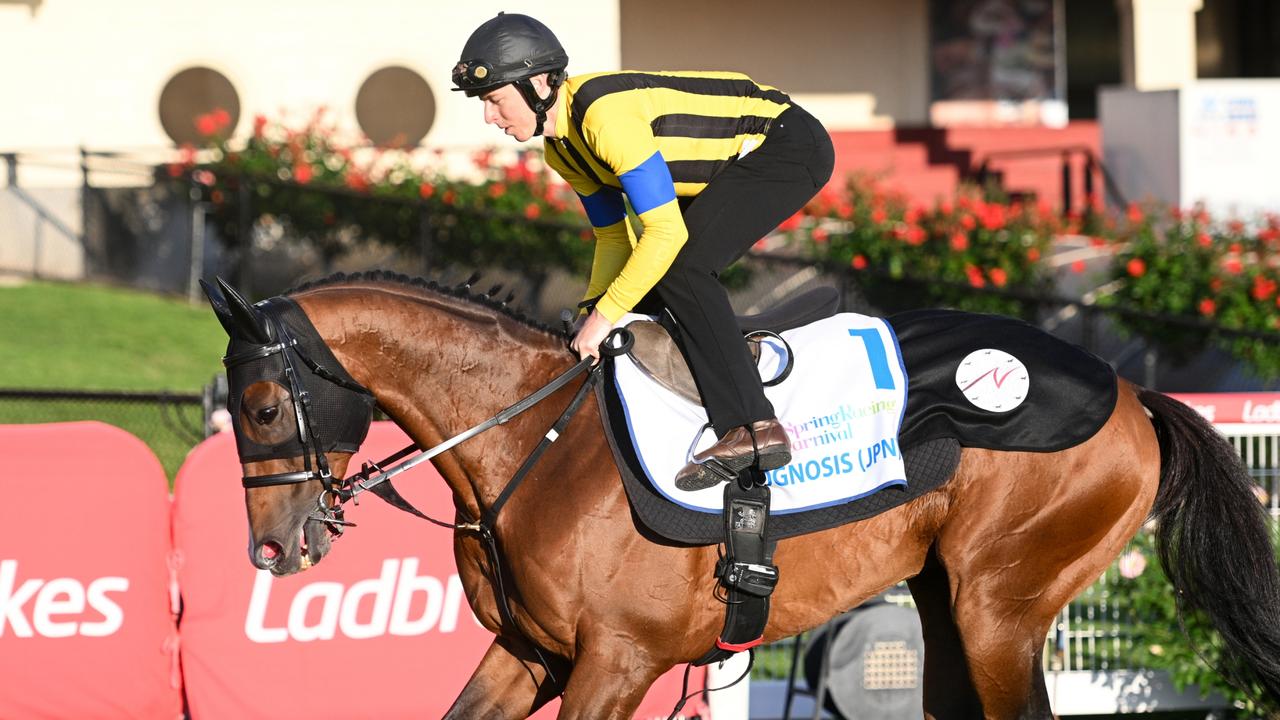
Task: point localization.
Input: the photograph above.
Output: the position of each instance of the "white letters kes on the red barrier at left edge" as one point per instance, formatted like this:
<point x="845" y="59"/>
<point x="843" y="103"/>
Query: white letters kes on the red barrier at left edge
<point x="61" y="608"/>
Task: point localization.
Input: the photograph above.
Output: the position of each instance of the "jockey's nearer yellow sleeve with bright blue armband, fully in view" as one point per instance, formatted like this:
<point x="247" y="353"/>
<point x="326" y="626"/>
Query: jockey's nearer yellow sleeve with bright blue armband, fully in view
<point x="632" y="152"/>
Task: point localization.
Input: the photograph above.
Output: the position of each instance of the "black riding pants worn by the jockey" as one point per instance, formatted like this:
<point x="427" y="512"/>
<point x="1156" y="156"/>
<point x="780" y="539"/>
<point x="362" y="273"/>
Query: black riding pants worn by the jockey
<point x="743" y="204"/>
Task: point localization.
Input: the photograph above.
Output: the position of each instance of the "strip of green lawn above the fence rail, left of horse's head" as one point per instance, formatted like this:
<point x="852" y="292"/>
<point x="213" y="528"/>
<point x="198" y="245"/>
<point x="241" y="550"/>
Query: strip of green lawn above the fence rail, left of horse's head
<point x="93" y="338"/>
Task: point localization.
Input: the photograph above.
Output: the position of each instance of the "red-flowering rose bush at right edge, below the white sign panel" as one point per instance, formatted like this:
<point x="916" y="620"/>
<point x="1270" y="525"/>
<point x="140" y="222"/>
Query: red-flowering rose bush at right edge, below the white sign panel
<point x="1186" y="265"/>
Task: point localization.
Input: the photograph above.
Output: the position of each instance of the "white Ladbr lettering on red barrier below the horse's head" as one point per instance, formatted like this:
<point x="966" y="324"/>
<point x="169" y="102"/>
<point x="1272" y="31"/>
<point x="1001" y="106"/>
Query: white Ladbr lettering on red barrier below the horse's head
<point x="397" y="603"/>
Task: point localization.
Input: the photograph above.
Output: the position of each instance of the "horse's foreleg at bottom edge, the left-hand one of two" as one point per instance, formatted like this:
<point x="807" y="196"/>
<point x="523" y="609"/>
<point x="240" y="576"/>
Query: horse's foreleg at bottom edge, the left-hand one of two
<point x="509" y="685"/>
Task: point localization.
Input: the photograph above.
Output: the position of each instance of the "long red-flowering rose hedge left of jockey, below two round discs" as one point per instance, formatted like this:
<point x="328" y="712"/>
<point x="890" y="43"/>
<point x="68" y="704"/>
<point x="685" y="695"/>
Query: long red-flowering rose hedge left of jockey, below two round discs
<point x="337" y="193"/>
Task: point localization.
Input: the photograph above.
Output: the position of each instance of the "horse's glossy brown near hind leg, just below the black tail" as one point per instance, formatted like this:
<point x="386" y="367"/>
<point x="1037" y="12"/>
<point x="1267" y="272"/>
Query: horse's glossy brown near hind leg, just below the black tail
<point x="1026" y="535"/>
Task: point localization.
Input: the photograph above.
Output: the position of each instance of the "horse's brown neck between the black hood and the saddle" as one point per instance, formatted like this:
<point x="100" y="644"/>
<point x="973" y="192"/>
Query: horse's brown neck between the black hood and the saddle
<point x="440" y="368"/>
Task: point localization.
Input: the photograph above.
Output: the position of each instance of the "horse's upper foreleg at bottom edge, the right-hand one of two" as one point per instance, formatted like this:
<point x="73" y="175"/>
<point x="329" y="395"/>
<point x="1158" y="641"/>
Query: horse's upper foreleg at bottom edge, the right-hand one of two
<point x="609" y="683"/>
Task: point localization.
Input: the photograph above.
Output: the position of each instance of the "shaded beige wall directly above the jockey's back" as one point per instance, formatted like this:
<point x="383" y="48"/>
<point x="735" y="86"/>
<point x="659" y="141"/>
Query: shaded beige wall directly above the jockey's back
<point x="854" y="63"/>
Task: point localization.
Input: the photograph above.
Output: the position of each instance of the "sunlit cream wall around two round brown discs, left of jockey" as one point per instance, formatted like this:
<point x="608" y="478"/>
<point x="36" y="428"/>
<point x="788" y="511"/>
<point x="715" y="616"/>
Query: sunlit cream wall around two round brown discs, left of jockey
<point x="90" y="72"/>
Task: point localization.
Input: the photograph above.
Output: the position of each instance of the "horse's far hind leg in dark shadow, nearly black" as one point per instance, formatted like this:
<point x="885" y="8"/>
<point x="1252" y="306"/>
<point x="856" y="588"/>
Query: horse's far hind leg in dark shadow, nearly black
<point x="949" y="694"/>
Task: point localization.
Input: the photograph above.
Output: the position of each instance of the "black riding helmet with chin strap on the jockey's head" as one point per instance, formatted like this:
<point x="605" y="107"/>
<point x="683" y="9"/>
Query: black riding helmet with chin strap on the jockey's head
<point x="511" y="49"/>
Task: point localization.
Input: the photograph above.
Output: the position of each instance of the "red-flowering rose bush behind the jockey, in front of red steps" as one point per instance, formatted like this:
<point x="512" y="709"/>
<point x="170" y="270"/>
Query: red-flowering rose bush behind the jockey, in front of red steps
<point x="949" y="249"/>
